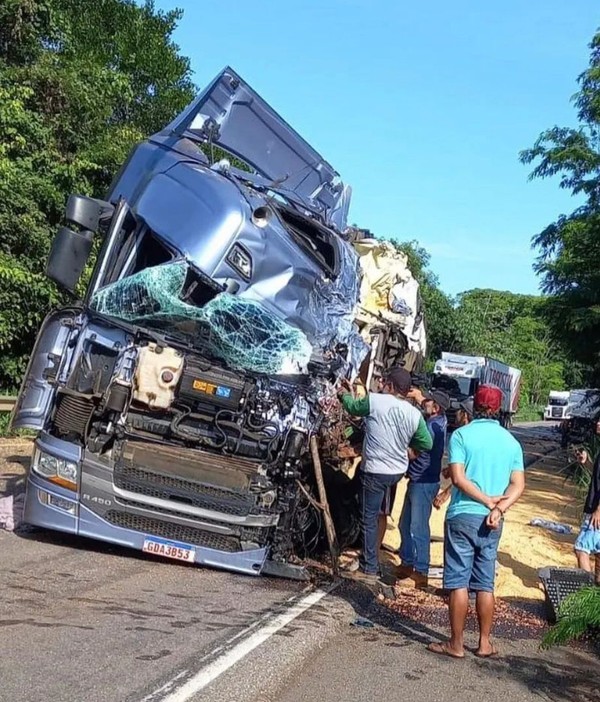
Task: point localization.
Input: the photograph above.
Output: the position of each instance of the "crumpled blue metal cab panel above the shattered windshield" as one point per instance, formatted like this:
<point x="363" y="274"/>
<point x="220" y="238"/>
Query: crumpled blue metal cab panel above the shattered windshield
<point x="201" y="214"/>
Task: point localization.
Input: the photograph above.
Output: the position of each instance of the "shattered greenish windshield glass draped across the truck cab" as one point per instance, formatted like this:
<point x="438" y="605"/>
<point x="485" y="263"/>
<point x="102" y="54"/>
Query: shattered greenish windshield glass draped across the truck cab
<point x="241" y="332"/>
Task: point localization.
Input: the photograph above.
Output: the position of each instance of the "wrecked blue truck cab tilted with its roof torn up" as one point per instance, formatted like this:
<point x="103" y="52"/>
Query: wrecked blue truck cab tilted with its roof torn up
<point x="174" y="403"/>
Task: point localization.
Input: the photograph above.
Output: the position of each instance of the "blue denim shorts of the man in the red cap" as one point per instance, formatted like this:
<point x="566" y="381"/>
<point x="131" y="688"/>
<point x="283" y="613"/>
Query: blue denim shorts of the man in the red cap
<point x="470" y="550"/>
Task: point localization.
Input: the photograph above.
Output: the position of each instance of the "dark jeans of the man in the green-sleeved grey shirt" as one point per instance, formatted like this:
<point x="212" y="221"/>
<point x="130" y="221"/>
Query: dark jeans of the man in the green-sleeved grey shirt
<point x="375" y="498"/>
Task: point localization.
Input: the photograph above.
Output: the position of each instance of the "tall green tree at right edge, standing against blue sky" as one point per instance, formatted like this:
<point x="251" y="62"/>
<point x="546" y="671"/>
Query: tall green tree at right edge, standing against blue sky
<point x="569" y="259"/>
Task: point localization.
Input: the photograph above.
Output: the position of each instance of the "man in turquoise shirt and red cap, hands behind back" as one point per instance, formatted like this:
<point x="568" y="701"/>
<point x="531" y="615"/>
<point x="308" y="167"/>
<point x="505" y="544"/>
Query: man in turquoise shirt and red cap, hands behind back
<point x="486" y="468"/>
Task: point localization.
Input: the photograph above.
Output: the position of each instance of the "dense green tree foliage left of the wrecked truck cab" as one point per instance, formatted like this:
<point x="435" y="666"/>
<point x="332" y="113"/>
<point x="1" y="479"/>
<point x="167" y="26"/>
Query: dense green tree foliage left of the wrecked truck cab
<point x="81" y="81"/>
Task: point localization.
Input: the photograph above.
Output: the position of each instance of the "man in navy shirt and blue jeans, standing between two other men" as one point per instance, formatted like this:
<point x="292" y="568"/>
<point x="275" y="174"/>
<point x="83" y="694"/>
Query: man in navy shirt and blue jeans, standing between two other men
<point x="423" y="485"/>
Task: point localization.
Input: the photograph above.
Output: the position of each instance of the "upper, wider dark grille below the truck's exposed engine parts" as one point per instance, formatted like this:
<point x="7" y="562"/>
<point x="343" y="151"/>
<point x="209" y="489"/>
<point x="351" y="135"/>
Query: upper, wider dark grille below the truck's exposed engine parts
<point x="185" y="491"/>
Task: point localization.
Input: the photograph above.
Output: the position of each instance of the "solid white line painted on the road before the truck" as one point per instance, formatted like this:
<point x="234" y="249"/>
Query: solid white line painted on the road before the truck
<point x="235" y="654"/>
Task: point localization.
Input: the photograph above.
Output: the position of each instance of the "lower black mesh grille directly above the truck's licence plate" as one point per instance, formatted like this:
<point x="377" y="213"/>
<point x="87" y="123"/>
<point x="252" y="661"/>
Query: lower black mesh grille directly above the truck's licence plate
<point x="172" y="531"/>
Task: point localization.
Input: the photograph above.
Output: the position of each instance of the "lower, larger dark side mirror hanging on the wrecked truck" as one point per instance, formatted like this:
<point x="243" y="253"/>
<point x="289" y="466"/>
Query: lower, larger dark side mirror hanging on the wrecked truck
<point x="68" y="256"/>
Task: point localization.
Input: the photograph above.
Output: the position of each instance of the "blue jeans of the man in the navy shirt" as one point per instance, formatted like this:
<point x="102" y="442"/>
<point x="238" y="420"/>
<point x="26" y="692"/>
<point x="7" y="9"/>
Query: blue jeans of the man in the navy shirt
<point x="415" y="534"/>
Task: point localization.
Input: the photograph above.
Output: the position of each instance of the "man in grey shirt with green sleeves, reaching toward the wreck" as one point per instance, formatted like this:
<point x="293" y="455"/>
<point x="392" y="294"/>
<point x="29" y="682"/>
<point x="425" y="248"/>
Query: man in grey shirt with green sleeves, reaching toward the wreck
<point x="392" y="426"/>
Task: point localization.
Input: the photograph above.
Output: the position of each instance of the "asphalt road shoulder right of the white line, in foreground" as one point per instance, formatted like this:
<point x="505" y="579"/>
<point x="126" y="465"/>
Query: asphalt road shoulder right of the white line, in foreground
<point x="389" y="661"/>
